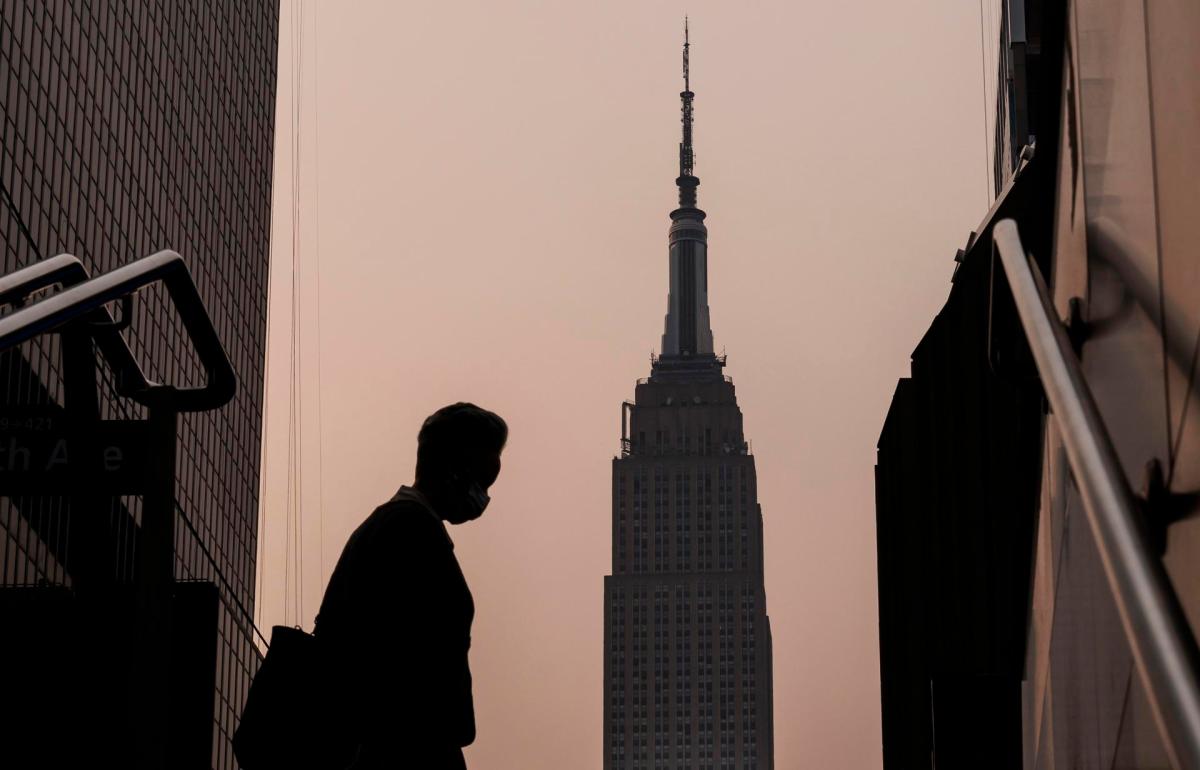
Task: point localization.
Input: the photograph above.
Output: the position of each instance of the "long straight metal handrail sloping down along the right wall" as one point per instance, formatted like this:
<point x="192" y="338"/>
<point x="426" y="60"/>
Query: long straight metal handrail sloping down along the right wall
<point x="1159" y="636"/>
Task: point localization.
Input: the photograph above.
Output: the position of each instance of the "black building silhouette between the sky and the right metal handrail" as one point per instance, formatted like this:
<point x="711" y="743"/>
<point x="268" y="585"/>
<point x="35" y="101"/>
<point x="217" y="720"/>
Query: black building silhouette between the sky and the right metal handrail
<point x="961" y="460"/>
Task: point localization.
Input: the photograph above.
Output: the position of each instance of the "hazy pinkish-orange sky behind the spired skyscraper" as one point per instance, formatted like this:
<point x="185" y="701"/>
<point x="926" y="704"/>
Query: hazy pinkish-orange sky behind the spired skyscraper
<point x="483" y="201"/>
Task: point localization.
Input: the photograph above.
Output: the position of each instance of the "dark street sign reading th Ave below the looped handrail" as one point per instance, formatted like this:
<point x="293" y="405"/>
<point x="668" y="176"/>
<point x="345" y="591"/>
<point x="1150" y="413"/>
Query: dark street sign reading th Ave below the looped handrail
<point x="46" y="454"/>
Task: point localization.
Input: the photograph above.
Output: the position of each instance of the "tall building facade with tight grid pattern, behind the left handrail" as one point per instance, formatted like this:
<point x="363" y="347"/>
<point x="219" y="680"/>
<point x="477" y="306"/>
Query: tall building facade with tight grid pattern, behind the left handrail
<point x="128" y="129"/>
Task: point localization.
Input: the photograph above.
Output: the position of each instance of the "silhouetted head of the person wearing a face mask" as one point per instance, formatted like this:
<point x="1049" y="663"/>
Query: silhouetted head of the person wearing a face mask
<point x="459" y="458"/>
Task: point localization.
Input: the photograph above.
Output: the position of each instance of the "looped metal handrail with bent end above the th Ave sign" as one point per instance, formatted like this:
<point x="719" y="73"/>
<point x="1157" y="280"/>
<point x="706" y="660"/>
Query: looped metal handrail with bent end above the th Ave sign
<point x="91" y="297"/>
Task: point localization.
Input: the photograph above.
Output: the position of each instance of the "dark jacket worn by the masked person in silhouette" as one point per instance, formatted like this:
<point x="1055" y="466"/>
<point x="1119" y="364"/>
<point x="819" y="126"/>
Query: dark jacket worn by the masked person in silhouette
<point x="395" y="625"/>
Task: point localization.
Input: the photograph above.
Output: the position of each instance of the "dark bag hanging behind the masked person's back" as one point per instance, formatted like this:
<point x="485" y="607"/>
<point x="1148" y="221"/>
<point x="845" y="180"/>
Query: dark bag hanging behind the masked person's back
<point x="293" y="715"/>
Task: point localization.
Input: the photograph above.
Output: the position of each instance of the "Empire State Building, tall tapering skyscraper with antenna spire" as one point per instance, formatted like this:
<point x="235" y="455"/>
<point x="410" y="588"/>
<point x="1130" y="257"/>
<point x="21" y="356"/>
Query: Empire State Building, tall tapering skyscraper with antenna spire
<point x="688" y="655"/>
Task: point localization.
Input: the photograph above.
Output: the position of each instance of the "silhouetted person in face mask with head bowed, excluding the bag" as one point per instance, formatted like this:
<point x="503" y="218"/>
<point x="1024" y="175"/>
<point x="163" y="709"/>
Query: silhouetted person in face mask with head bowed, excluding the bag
<point x="397" y="616"/>
